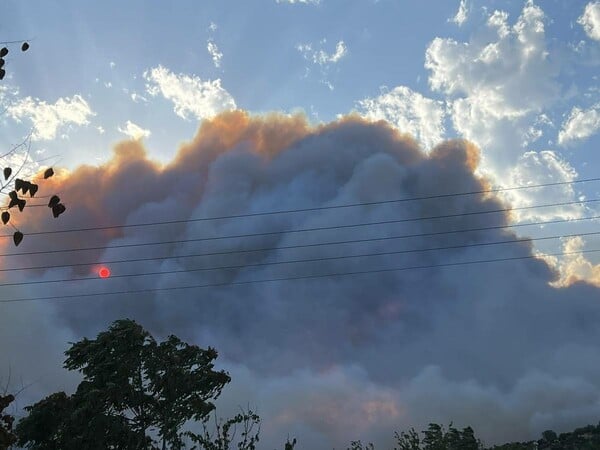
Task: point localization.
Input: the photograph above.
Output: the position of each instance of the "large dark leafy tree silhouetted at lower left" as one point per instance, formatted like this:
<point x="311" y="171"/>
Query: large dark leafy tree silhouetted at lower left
<point x="133" y="388"/>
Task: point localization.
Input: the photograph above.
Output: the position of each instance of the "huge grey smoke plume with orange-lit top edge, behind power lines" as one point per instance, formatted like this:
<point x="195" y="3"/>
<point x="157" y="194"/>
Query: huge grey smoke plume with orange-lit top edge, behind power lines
<point x="335" y="358"/>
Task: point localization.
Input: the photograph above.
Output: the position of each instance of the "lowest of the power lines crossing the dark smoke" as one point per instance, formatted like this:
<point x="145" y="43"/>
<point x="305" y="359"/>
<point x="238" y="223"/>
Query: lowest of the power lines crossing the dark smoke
<point x="300" y="277"/>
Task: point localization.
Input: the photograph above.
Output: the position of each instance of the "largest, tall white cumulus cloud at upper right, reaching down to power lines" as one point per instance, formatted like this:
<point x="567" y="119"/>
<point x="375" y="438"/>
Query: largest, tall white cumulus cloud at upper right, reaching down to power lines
<point x="501" y="87"/>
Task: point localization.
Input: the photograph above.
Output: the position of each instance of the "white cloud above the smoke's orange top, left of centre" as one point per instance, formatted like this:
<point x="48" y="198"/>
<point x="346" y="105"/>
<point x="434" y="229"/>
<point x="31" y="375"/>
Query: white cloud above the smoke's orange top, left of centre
<point x="191" y="96"/>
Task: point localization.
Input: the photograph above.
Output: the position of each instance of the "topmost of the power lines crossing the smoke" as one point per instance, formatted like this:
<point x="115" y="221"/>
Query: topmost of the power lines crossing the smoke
<point x="318" y="208"/>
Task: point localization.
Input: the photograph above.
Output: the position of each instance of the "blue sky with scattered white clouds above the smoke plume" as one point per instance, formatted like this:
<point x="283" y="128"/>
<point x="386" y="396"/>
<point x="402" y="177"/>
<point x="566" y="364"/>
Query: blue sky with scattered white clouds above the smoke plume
<point x="137" y="63"/>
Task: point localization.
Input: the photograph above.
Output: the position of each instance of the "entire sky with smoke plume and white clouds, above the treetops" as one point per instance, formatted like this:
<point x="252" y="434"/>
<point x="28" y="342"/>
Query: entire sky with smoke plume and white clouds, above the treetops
<point x="151" y="113"/>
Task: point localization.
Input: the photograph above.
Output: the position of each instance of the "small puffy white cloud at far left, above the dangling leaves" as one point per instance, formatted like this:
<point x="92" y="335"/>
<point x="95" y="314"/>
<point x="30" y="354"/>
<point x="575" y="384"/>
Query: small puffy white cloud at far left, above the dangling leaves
<point x="47" y="119"/>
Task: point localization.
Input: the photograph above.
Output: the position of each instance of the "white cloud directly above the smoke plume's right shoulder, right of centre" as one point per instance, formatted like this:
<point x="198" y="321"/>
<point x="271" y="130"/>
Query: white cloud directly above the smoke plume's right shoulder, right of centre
<point x="408" y="111"/>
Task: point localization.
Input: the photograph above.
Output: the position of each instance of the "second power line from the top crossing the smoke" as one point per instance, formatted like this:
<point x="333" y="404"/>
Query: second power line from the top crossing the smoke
<point x="332" y="227"/>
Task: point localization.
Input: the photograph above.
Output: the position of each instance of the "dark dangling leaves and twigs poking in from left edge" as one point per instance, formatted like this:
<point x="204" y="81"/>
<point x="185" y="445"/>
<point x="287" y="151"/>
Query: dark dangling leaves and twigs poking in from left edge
<point x="11" y="177"/>
